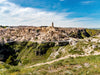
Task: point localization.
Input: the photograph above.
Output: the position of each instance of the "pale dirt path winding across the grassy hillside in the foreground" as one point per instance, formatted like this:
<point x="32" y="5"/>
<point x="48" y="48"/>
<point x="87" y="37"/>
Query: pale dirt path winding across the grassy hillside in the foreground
<point x="50" y="62"/>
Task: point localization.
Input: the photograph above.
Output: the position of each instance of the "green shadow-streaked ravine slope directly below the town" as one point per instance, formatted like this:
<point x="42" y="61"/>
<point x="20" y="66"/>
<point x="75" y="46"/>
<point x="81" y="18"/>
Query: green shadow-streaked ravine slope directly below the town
<point x="25" y="52"/>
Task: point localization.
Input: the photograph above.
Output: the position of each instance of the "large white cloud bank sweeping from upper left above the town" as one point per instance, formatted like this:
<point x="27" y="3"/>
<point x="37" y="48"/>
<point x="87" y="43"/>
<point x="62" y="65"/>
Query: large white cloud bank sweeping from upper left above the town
<point x="12" y="14"/>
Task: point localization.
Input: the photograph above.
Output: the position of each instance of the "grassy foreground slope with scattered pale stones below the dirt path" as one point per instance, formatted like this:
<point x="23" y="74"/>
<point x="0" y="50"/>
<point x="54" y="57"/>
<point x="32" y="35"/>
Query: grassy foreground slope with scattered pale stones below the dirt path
<point x="72" y="66"/>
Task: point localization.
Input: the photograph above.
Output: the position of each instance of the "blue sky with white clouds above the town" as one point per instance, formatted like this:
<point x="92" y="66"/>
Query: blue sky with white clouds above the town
<point x="64" y="13"/>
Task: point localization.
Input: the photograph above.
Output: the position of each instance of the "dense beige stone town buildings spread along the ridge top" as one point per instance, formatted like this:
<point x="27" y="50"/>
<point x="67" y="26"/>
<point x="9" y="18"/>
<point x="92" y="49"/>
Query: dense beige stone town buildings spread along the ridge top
<point x="39" y="34"/>
